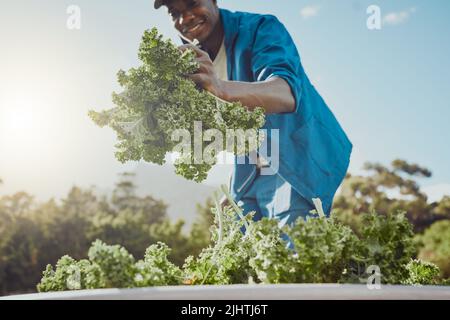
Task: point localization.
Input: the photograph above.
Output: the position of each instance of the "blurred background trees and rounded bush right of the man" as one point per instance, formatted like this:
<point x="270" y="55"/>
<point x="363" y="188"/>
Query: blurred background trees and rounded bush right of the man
<point x="395" y="188"/>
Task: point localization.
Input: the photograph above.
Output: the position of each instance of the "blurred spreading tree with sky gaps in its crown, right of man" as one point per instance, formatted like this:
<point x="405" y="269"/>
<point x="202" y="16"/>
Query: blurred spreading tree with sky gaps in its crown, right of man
<point x="389" y="190"/>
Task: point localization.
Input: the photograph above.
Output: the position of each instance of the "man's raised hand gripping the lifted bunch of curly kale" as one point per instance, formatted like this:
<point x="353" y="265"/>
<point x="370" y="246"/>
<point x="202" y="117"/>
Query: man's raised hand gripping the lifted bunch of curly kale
<point x="205" y="76"/>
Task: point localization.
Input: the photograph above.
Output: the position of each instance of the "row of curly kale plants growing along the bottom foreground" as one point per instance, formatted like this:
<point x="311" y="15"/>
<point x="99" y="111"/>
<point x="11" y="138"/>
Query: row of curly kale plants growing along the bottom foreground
<point x="324" y="251"/>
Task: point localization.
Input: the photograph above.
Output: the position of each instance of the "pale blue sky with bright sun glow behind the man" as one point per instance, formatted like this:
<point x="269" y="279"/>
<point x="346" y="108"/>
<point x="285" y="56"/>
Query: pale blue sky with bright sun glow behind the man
<point x="389" y="88"/>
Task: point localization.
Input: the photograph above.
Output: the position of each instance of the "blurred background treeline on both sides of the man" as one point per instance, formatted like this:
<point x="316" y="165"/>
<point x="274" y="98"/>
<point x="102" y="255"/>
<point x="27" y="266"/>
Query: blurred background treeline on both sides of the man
<point x="34" y="234"/>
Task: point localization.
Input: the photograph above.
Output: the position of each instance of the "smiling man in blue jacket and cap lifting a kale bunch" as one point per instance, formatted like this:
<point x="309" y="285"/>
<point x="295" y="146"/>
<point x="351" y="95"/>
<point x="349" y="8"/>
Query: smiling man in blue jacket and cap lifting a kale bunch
<point x="251" y="58"/>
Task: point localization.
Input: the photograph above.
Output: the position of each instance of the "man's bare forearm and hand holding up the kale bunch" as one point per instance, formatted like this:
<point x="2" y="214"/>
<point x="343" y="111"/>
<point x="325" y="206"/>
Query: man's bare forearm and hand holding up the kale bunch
<point x="274" y="94"/>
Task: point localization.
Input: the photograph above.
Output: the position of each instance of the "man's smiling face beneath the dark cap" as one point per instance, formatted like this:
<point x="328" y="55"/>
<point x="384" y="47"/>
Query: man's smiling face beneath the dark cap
<point x="195" y="19"/>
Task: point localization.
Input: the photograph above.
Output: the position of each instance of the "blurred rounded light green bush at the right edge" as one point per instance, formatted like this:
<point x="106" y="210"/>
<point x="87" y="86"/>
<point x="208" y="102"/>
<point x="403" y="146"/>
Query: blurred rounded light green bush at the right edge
<point x="435" y="246"/>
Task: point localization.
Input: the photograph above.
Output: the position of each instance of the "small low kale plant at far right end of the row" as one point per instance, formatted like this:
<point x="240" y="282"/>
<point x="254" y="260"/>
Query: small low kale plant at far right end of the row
<point x="422" y="273"/>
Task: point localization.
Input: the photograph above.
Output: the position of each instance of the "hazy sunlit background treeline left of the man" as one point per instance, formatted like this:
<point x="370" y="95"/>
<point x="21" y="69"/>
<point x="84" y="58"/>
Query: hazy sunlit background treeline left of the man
<point x="33" y="235"/>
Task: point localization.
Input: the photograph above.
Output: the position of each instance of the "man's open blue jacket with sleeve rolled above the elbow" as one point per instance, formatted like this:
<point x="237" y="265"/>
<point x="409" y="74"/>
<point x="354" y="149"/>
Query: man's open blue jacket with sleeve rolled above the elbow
<point x="314" y="151"/>
